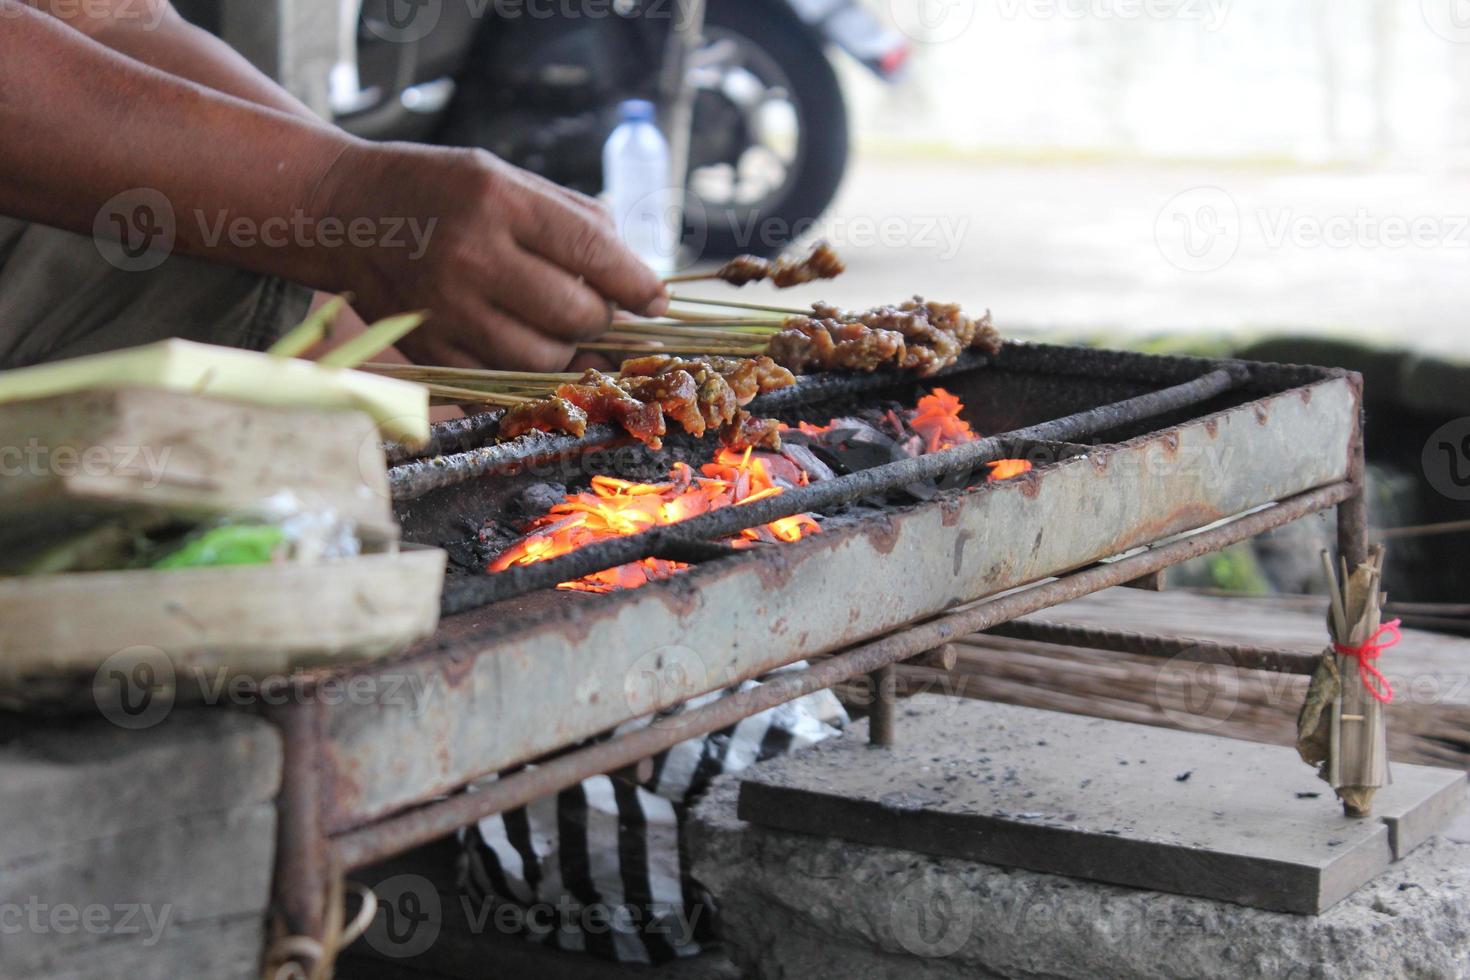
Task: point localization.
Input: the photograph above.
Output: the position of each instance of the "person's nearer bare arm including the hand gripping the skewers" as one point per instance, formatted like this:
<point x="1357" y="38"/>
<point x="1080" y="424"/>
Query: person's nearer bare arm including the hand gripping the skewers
<point x="514" y="270"/>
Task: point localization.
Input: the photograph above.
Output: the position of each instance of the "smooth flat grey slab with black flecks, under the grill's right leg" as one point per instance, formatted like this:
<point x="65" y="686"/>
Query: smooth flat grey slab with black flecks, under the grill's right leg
<point x="1127" y="804"/>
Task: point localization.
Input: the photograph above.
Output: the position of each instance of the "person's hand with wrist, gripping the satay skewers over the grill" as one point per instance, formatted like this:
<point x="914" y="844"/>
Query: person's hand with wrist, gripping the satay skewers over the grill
<point x="515" y="273"/>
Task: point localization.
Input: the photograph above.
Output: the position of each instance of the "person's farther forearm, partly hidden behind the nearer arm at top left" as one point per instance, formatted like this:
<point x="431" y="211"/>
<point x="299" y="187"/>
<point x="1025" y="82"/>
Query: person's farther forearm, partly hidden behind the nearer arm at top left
<point x="154" y="33"/>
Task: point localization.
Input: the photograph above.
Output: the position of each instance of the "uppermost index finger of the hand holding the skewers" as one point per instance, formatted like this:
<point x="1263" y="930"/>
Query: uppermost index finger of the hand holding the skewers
<point x="567" y="237"/>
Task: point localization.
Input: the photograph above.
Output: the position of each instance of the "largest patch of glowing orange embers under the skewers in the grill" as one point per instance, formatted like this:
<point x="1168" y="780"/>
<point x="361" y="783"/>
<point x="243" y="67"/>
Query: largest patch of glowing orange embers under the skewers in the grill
<point x="614" y="509"/>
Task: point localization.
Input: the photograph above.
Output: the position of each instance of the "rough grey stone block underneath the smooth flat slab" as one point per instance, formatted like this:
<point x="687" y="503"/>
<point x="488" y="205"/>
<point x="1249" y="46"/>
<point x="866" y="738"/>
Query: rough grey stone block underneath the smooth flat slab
<point x="796" y="906"/>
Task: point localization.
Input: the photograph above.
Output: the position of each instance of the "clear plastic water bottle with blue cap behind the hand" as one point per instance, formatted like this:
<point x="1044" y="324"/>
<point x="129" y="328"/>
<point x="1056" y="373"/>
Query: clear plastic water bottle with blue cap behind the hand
<point x="640" y="193"/>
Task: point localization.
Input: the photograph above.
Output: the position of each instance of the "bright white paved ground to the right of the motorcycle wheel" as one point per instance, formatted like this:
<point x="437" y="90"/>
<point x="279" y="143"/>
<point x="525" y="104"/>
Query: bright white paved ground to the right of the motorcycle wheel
<point x="1147" y="249"/>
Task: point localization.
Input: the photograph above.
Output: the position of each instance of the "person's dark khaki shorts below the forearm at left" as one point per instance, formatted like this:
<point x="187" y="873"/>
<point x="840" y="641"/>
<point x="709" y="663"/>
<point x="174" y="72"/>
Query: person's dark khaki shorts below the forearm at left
<point x="60" y="298"/>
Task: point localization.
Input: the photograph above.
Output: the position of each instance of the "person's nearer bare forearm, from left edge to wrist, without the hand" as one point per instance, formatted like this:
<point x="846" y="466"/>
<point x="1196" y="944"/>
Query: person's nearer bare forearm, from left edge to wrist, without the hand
<point x="85" y="124"/>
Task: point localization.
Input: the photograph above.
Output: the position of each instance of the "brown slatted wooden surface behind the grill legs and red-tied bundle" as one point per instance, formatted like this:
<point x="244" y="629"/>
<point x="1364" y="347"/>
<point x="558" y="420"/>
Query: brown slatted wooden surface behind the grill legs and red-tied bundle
<point x="1428" y="724"/>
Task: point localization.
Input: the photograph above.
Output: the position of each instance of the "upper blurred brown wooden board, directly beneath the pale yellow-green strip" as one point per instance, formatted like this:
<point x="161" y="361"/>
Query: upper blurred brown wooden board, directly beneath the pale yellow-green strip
<point x="164" y="453"/>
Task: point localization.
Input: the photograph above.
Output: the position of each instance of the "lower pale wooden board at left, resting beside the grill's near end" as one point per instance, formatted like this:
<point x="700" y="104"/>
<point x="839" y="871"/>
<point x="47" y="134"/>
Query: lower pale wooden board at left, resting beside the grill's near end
<point x="195" y="624"/>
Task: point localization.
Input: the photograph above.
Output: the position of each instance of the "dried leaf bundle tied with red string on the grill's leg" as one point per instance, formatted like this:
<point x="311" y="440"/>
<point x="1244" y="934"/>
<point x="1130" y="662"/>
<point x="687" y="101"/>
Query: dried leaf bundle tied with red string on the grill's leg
<point x="1341" y="728"/>
